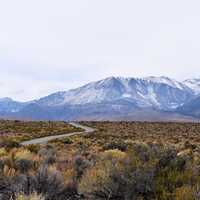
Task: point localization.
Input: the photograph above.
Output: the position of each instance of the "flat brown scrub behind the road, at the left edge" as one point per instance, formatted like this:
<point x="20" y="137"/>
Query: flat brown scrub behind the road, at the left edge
<point x="26" y="130"/>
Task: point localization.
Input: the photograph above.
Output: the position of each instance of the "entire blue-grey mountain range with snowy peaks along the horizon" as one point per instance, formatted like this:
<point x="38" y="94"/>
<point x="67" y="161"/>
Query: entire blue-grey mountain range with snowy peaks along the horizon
<point x="114" y="98"/>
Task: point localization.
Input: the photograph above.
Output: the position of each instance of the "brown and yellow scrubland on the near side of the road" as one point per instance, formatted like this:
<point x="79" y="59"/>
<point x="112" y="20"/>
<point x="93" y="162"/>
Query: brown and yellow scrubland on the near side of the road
<point x="120" y="161"/>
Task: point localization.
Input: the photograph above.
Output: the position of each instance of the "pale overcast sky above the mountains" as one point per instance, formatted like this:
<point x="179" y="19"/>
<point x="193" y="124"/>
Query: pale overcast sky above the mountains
<point x="54" y="45"/>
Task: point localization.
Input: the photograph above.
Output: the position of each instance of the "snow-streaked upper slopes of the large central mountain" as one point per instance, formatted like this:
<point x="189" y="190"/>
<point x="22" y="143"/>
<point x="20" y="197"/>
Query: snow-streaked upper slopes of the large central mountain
<point x="157" y="92"/>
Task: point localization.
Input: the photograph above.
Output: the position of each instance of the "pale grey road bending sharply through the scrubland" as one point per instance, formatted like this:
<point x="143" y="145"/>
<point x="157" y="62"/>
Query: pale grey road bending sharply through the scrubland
<point x="44" y="140"/>
